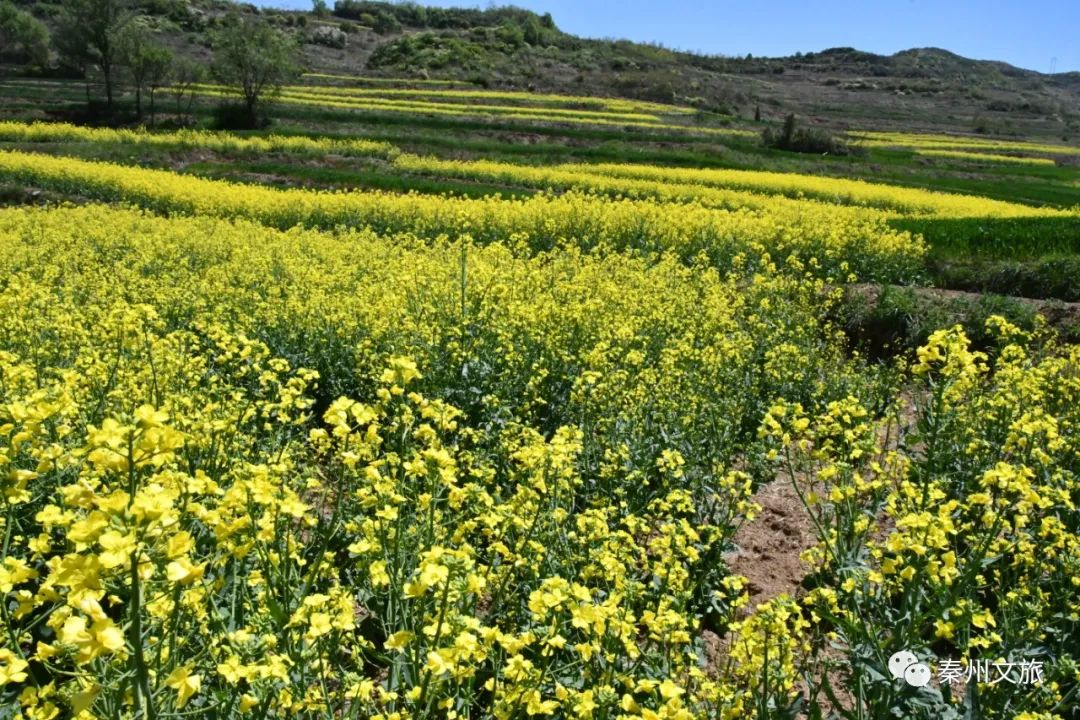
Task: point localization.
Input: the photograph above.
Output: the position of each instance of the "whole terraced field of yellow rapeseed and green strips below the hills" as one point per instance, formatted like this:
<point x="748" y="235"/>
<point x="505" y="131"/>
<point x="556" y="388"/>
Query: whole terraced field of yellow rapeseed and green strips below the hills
<point x="484" y="404"/>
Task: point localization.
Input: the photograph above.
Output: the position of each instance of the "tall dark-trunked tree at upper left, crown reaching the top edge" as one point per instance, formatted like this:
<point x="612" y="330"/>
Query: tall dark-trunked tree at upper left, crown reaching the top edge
<point x="89" y="31"/>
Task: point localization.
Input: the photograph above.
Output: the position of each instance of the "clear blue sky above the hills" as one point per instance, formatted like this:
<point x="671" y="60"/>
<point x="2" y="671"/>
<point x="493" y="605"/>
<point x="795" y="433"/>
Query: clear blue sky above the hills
<point x="1029" y="34"/>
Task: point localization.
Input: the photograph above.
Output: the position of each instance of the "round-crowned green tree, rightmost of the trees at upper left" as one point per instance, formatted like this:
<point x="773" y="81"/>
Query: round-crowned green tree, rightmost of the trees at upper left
<point x="254" y="60"/>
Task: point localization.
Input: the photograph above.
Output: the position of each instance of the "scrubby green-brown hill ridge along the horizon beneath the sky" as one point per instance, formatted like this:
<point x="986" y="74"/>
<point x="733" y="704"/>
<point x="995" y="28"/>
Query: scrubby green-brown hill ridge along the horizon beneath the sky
<point x="915" y="90"/>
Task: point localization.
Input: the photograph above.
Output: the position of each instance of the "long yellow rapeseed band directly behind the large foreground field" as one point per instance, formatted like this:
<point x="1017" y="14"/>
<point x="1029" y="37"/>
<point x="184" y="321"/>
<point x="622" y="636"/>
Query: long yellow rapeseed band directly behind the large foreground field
<point x="820" y="239"/>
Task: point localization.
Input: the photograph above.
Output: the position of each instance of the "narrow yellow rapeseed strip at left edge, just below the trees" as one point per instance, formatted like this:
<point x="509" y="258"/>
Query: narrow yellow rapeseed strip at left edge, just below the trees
<point x="220" y="142"/>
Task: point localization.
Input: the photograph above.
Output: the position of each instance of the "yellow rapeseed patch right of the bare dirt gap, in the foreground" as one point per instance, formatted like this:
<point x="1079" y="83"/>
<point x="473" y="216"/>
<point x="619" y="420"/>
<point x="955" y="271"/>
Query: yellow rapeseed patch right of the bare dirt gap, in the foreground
<point x="955" y="535"/>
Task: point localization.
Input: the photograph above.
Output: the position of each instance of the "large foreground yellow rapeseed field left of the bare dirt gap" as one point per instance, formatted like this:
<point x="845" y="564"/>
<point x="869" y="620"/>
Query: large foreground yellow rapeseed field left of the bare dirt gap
<point x="300" y="474"/>
